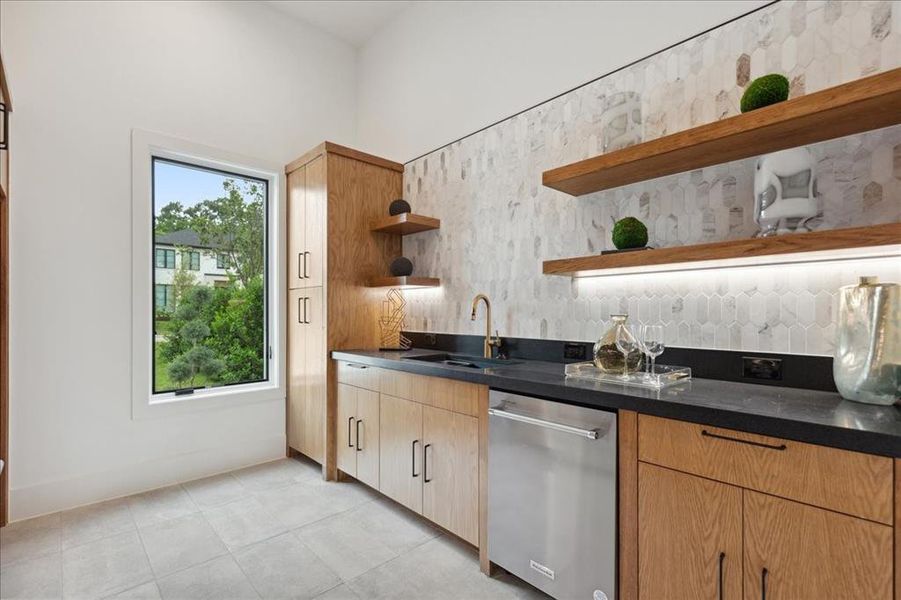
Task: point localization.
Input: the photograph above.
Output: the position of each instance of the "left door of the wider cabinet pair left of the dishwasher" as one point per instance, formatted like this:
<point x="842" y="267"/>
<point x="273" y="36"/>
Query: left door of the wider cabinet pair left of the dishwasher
<point x="400" y="451"/>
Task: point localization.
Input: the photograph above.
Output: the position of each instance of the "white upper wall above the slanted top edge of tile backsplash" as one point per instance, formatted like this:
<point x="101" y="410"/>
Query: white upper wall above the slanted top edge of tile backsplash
<point x="442" y="70"/>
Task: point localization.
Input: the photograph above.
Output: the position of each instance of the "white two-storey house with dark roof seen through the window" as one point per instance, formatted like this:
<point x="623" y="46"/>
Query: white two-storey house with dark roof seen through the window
<point x="184" y="249"/>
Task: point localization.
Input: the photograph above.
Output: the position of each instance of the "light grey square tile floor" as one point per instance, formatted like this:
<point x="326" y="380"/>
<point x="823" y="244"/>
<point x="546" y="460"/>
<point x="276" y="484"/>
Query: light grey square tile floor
<point x="270" y="531"/>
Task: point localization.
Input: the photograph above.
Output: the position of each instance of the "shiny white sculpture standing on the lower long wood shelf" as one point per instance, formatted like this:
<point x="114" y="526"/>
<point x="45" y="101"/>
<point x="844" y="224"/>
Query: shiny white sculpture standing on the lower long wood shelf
<point x="784" y="192"/>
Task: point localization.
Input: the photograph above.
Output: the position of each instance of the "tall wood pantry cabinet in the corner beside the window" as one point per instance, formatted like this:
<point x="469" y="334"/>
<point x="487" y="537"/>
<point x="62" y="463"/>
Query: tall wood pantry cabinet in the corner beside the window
<point x="333" y="194"/>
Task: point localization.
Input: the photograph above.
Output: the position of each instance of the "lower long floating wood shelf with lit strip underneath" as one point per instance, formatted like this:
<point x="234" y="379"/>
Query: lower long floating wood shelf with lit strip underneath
<point x="855" y="242"/>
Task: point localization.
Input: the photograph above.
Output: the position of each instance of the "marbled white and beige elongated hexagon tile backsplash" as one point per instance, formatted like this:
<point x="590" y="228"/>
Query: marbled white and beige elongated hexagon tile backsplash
<point x="498" y="223"/>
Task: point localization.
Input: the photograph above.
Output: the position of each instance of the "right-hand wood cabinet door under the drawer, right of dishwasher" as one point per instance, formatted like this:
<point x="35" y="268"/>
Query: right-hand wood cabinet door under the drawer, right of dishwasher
<point x="798" y="552"/>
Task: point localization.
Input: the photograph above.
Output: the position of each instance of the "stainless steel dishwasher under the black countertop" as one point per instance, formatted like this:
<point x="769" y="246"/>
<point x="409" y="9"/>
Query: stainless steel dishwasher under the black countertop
<point x="552" y="495"/>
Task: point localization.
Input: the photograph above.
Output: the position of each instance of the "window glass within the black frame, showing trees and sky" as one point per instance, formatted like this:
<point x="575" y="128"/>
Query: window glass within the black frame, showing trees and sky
<point x="216" y="335"/>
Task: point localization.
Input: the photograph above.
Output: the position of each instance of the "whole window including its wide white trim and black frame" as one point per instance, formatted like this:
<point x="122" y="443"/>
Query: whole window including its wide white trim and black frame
<point x="202" y="341"/>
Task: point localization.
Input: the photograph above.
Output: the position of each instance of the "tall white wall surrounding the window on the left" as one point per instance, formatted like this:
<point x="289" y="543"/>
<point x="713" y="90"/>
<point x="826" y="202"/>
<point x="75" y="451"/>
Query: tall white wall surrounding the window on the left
<point x="83" y="74"/>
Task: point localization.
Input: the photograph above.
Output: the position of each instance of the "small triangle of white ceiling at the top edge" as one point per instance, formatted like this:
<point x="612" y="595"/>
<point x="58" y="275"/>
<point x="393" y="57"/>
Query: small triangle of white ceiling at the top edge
<point x="353" y="21"/>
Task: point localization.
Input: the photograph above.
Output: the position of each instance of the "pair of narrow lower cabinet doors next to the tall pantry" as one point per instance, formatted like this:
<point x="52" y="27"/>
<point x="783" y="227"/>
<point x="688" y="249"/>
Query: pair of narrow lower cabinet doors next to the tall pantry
<point x="358" y="434"/>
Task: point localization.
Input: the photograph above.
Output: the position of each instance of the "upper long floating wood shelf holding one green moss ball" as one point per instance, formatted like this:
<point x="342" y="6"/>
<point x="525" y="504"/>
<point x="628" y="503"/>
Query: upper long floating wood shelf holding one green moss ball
<point x="869" y="103"/>
